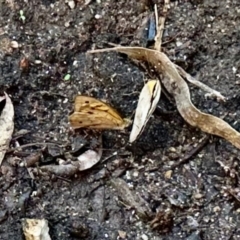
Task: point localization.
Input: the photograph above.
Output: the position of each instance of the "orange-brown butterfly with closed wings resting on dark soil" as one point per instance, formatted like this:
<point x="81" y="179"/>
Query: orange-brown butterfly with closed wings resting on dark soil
<point x="95" y="114"/>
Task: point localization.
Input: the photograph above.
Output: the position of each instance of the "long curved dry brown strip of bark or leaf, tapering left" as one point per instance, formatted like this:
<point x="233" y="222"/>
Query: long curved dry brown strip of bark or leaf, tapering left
<point x="176" y="86"/>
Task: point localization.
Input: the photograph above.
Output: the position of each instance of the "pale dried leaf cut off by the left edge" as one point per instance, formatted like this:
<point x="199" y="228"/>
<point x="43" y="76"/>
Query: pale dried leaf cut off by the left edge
<point x="6" y="126"/>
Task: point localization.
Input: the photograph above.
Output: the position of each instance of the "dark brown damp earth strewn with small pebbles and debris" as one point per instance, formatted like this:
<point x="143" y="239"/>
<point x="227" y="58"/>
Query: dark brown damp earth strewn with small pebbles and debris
<point x="197" y="200"/>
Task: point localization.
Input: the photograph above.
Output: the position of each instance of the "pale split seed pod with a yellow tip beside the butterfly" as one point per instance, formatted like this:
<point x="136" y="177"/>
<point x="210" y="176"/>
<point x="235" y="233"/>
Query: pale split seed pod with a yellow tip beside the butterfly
<point x="147" y="103"/>
